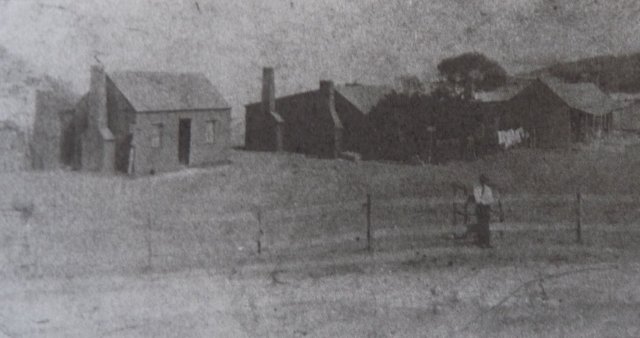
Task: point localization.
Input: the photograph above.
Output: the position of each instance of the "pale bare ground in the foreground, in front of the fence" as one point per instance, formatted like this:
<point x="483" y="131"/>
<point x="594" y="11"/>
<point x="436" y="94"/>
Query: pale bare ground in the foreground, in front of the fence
<point x="520" y="288"/>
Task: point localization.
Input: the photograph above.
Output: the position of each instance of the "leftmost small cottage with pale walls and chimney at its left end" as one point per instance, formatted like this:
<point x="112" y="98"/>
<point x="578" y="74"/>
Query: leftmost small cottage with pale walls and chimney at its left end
<point x="148" y="122"/>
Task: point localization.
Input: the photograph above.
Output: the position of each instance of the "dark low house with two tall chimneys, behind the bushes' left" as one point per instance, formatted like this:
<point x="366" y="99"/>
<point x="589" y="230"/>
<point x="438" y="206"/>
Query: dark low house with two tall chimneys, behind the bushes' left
<point x="323" y="122"/>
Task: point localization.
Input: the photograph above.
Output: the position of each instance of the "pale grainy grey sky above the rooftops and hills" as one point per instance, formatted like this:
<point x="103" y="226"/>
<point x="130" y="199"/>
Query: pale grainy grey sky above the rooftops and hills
<point x="366" y="41"/>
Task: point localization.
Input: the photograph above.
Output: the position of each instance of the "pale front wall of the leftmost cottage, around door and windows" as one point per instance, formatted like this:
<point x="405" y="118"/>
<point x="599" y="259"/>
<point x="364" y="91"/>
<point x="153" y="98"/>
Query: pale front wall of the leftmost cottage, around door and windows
<point x="165" y="157"/>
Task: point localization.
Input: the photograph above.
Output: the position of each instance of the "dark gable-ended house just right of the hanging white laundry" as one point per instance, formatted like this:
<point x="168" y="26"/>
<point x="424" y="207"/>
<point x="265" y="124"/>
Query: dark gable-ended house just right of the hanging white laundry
<point x="556" y="113"/>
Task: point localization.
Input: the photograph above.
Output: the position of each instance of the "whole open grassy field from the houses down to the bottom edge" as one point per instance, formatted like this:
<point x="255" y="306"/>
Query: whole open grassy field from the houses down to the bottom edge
<point x="176" y="254"/>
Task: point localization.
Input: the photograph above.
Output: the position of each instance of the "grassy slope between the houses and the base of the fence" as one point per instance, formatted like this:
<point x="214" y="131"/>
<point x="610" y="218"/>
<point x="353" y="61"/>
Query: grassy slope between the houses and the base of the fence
<point x="300" y="201"/>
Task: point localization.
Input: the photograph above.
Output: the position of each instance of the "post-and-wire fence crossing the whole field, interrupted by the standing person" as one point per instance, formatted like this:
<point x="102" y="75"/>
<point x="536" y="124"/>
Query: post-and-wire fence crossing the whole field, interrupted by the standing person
<point x="37" y="247"/>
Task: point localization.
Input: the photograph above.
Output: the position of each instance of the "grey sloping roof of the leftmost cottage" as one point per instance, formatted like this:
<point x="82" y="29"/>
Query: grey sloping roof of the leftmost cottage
<point x="162" y="91"/>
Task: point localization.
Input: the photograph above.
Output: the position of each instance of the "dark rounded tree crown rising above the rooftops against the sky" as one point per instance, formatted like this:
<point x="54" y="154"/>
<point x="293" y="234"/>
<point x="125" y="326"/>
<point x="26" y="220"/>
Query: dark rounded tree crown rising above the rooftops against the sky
<point x="469" y="72"/>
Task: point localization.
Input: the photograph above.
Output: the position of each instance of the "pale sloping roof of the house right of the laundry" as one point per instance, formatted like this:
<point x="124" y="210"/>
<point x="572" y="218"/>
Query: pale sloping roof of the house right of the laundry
<point x="586" y="97"/>
